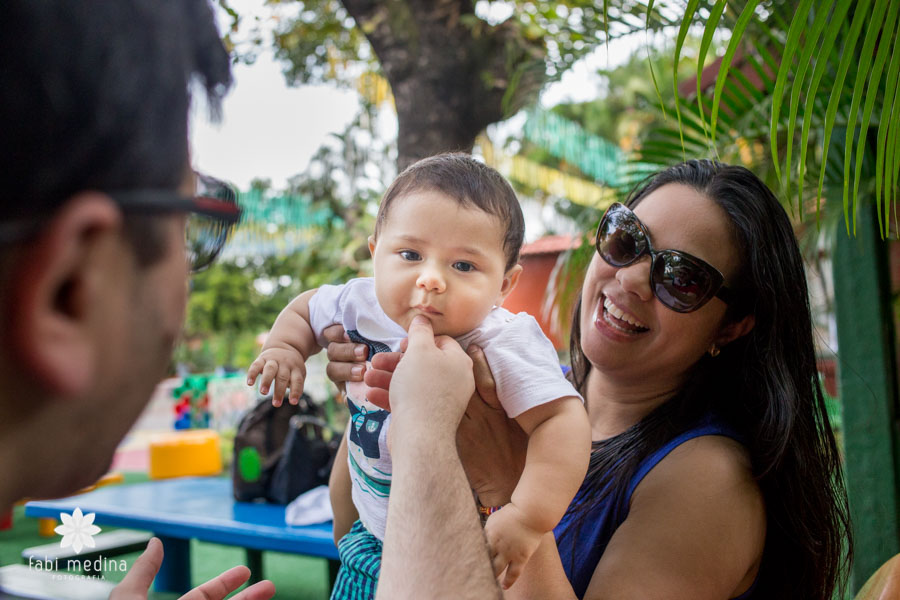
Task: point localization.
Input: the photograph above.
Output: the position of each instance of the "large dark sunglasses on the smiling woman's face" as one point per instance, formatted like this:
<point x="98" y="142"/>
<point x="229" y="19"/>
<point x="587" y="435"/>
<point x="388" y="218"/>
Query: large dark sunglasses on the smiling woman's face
<point x="680" y="281"/>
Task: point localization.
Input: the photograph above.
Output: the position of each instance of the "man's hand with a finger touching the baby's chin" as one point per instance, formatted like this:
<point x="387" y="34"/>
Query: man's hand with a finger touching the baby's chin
<point x="432" y="383"/>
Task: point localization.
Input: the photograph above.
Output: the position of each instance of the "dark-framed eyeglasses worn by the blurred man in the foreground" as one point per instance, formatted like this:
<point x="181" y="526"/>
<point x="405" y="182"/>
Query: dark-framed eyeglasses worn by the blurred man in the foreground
<point x="212" y="211"/>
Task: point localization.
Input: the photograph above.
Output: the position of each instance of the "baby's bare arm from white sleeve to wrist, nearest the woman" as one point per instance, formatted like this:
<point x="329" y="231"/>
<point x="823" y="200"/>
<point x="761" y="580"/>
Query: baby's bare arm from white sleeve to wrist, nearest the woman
<point x="559" y="448"/>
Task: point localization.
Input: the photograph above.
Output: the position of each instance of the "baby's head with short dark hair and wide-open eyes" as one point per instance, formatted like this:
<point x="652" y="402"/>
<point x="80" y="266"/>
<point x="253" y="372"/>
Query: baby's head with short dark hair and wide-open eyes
<point x="446" y="244"/>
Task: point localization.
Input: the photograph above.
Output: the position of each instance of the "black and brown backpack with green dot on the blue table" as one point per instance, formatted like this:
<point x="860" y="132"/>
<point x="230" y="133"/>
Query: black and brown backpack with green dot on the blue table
<point x="281" y="452"/>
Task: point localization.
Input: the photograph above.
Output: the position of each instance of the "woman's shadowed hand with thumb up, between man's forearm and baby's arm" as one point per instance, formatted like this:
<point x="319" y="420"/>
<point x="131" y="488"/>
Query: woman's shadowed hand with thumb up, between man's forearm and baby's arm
<point x="491" y="445"/>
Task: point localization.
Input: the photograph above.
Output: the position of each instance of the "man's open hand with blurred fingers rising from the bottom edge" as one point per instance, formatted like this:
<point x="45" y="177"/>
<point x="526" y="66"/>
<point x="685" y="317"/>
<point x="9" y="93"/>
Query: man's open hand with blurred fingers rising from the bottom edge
<point x="137" y="582"/>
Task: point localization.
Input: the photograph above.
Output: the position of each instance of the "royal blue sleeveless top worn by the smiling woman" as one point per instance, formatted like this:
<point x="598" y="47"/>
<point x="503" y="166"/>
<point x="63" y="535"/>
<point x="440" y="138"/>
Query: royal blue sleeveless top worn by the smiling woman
<point x="580" y="556"/>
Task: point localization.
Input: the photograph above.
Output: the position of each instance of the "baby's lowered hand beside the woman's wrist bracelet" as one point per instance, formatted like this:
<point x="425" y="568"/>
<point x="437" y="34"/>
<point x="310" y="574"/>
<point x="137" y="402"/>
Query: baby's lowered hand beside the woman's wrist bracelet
<point x="512" y="542"/>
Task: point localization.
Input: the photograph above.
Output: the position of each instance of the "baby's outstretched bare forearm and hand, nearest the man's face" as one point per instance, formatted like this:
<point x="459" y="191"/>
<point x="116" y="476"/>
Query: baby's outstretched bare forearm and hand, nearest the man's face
<point x="283" y="357"/>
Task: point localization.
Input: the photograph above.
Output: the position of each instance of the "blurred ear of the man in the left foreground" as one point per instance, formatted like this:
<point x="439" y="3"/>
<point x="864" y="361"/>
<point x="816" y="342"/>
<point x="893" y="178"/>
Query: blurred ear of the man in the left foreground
<point x="54" y="290"/>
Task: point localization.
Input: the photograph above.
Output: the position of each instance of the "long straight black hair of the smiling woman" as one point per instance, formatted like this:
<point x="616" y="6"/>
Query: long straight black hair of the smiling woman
<point x="764" y="384"/>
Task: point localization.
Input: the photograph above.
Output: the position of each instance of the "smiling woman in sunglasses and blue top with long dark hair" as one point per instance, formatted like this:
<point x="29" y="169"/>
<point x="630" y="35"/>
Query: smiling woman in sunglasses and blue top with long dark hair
<point x="714" y="472"/>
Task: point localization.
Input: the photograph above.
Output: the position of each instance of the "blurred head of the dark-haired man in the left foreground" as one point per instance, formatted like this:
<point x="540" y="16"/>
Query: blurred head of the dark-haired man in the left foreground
<point x="95" y="102"/>
